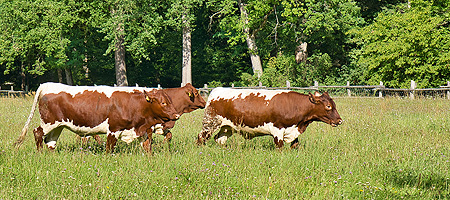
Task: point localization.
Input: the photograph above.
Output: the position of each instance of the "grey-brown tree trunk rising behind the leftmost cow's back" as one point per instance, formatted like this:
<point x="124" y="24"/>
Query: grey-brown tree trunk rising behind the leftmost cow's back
<point x="119" y="53"/>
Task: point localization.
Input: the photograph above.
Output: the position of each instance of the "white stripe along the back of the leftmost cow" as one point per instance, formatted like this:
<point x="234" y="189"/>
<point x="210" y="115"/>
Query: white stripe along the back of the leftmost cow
<point x="56" y="88"/>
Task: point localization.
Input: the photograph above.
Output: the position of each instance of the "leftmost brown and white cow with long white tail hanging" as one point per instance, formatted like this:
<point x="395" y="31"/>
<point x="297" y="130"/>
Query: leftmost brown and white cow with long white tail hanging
<point x="124" y="113"/>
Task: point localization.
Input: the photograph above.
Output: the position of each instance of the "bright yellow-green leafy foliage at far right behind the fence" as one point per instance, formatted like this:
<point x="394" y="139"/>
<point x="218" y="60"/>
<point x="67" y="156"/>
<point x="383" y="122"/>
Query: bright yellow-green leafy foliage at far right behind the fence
<point x="406" y="44"/>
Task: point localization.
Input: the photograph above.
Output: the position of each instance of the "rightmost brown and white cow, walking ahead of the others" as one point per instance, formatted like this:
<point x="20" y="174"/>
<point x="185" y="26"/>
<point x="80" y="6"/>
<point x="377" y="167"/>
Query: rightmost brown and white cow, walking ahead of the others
<point x="282" y="114"/>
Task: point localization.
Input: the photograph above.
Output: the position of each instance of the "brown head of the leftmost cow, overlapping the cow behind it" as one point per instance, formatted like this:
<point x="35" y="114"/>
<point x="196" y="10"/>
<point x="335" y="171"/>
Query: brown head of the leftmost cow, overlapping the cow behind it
<point x="160" y="105"/>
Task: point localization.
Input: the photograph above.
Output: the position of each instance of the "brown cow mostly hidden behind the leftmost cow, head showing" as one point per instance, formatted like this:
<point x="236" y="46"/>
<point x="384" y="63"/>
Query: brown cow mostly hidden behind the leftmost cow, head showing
<point x="185" y="100"/>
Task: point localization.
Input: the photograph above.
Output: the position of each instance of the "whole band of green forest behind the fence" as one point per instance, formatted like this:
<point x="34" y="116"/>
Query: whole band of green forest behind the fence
<point x="224" y="42"/>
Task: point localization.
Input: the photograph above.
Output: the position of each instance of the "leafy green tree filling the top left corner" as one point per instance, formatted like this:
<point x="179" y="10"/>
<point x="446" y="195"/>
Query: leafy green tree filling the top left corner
<point x="33" y="36"/>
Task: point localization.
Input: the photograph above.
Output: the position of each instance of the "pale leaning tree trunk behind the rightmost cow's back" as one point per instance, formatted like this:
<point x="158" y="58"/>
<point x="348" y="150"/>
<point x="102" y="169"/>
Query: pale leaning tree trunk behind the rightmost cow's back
<point x="251" y="42"/>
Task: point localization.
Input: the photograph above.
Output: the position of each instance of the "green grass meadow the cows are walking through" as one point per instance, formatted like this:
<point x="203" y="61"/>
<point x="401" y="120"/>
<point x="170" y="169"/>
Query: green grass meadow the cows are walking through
<point x="386" y="149"/>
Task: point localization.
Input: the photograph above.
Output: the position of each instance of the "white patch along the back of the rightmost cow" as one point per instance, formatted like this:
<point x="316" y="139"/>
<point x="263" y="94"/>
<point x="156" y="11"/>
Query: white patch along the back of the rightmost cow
<point x="227" y="93"/>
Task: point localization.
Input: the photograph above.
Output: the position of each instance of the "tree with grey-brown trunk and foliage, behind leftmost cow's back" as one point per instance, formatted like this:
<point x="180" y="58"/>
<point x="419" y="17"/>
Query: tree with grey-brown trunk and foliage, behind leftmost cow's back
<point x="129" y="26"/>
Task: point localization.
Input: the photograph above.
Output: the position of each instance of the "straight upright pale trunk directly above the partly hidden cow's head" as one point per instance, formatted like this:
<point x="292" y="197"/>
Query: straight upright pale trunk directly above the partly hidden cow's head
<point x="186" y="65"/>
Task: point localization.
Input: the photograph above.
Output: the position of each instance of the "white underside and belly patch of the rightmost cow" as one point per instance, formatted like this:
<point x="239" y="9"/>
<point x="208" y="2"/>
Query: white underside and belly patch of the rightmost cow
<point x="288" y="134"/>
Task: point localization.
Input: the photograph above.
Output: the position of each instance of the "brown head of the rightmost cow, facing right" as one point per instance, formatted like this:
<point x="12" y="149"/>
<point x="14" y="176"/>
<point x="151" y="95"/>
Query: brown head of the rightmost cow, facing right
<point x="325" y="108"/>
